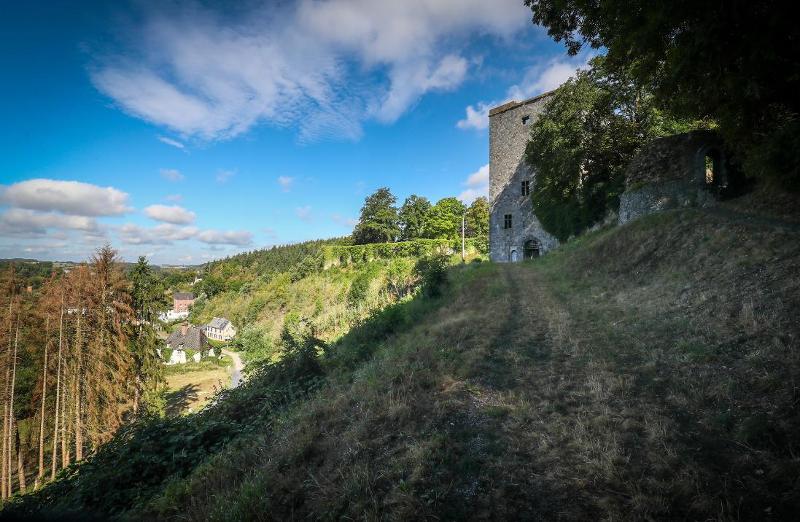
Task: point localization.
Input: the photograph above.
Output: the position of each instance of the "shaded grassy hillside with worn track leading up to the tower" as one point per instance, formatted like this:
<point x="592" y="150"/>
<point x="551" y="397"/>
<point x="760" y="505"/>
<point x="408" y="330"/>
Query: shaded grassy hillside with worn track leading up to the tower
<point x="643" y="371"/>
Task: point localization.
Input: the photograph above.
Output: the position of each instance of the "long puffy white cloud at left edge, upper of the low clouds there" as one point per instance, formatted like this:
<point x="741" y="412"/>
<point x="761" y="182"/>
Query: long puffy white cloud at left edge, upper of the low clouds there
<point x="68" y="197"/>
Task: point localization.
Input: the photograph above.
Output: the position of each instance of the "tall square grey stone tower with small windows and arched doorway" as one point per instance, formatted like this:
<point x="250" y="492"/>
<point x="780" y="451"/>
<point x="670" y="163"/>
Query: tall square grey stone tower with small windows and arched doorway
<point x="514" y="232"/>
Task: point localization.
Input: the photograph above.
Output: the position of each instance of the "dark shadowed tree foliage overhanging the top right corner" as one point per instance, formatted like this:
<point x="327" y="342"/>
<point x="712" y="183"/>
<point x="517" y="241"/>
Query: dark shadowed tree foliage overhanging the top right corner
<point x="735" y="62"/>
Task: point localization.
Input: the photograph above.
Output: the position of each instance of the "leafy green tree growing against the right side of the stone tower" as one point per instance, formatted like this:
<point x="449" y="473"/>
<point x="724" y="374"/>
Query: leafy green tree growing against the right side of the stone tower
<point x="583" y="141"/>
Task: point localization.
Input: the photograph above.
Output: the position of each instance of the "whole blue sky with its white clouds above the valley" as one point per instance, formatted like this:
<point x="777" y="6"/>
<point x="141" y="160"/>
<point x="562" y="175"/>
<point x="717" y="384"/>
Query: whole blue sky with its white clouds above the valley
<point x="190" y="131"/>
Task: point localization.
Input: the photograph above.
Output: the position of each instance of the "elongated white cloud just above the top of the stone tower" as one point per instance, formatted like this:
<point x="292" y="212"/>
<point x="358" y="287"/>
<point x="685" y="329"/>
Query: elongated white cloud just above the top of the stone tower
<point x="537" y="80"/>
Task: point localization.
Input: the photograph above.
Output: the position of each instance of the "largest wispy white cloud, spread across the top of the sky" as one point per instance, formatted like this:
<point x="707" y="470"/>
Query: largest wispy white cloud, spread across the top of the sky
<point x="322" y="66"/>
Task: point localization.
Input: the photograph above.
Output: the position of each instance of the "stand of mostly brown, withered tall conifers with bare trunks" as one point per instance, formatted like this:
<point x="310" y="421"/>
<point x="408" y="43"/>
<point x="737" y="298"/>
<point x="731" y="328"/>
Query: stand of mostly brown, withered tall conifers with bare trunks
<point x="79" y="360"/>
